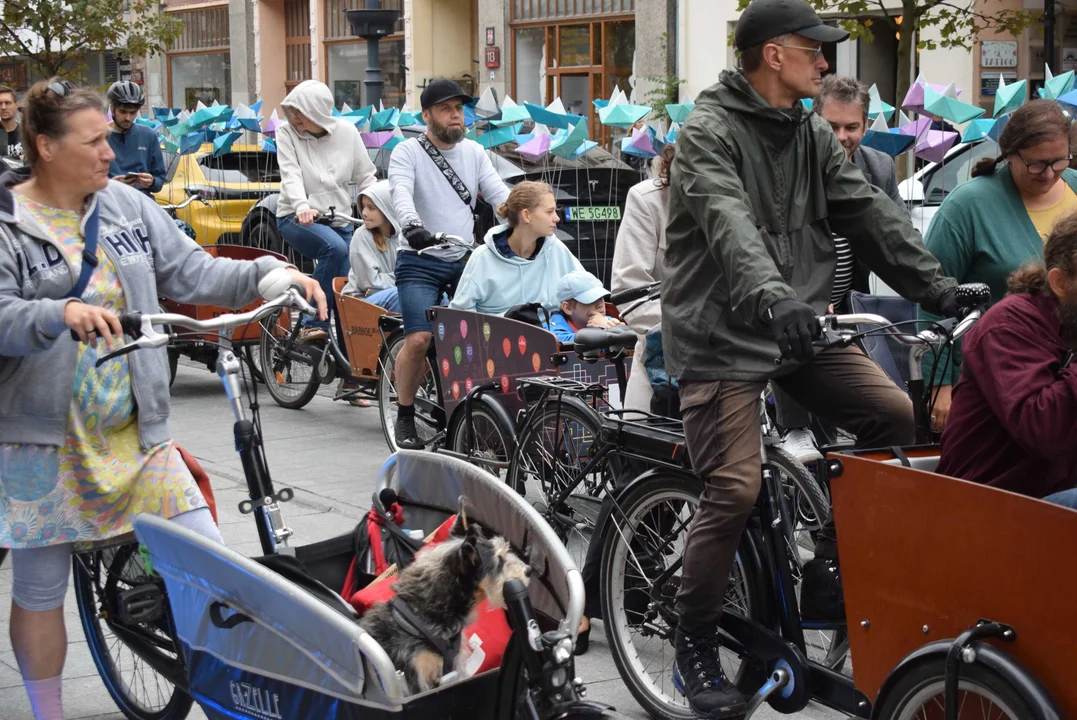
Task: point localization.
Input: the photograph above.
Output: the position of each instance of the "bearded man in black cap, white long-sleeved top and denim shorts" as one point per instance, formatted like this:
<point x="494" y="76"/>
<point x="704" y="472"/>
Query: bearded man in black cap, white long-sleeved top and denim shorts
<point x="436" y="180"/>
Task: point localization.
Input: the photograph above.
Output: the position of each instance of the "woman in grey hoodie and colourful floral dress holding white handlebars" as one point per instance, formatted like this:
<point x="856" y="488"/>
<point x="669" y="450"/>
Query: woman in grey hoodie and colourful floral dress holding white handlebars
<point x="86" y="449"/>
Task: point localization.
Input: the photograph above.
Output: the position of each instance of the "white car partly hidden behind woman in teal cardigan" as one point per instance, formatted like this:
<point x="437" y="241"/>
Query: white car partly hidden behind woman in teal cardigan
<point x="927" y="190"/>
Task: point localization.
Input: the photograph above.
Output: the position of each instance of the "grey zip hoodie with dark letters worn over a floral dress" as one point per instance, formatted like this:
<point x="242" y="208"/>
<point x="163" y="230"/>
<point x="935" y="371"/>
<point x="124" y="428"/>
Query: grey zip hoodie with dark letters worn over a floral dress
<point x="152" y="257"/>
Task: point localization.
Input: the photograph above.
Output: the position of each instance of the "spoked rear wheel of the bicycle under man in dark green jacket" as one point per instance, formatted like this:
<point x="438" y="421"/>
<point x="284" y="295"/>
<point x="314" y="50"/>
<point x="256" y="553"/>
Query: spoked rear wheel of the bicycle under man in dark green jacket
<point x="647" y="538"/>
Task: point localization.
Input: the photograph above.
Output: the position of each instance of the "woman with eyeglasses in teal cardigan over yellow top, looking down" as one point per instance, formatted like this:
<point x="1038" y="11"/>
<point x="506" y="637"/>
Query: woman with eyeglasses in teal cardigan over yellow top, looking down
<point x="996" y="223"/>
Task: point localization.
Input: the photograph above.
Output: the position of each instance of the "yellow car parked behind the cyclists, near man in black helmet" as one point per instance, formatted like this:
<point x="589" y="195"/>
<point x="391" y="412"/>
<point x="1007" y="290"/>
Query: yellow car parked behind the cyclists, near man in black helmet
<point x="230" y="185"/>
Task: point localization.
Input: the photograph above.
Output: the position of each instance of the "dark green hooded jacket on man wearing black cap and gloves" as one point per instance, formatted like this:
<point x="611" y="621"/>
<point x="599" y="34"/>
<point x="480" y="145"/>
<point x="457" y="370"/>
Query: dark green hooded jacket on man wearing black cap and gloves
<point x="757" y="195"/>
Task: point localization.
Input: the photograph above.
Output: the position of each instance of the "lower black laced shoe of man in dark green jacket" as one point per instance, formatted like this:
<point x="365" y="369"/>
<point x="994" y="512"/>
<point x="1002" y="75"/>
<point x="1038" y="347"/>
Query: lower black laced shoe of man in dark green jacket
<point x="698" y="675"/>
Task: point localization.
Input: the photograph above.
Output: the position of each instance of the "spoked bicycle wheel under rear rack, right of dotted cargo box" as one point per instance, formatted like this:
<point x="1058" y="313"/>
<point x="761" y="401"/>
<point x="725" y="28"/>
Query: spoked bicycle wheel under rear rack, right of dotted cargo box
<point x="552" y="453"/>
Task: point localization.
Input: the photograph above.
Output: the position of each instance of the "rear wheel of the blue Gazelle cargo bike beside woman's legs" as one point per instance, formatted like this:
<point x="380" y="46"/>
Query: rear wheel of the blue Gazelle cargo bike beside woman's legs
<point x="139" y="691"/>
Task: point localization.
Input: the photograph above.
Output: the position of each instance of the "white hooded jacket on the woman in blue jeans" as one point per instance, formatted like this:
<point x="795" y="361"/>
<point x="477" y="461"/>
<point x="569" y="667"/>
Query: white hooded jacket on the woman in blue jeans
<point x="315" y="173"/>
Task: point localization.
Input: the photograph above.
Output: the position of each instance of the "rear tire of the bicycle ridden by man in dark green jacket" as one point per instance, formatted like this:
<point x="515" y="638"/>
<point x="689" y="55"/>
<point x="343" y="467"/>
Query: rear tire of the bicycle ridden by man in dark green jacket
<point x="748" y="588"/>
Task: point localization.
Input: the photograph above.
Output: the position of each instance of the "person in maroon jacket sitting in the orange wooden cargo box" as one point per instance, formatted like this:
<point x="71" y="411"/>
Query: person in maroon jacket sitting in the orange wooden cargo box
<point x="1015" y="408"/>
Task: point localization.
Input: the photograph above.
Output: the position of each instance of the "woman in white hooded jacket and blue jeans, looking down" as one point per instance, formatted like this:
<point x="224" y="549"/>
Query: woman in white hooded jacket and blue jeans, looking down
<point x="319" y="157"/>
